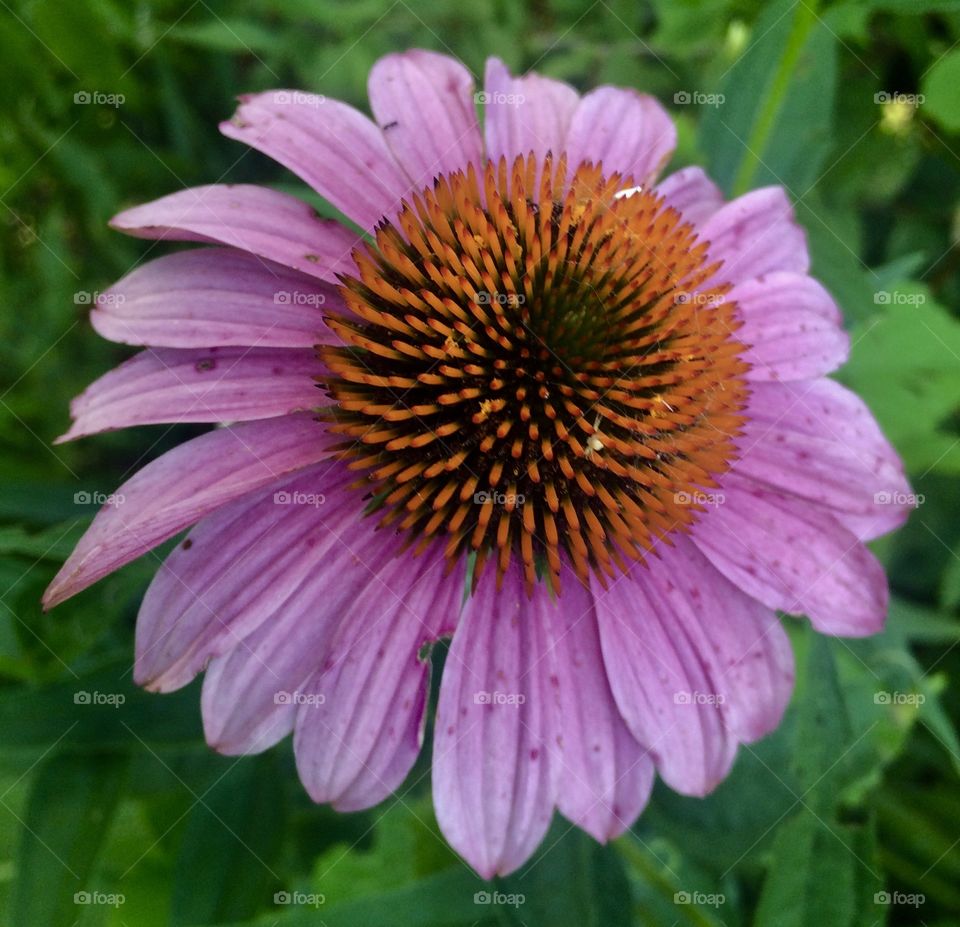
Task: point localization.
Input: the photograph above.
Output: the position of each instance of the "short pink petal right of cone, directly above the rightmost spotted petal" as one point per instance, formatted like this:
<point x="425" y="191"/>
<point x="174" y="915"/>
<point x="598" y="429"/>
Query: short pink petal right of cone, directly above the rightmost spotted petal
<point x="792" y="325"/>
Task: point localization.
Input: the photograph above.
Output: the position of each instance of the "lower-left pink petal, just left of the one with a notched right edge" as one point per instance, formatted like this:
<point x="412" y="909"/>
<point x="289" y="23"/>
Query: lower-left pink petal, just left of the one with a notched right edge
<point x="251" y="695"/>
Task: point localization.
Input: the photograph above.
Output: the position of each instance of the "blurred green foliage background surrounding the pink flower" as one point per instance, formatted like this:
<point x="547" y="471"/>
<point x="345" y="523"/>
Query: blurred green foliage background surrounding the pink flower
<point x="851" y="797"/>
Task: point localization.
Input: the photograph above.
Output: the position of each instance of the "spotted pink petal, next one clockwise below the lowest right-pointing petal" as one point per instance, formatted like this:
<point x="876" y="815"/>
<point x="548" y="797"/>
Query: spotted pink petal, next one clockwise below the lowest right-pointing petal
<point x="740" y="641"/>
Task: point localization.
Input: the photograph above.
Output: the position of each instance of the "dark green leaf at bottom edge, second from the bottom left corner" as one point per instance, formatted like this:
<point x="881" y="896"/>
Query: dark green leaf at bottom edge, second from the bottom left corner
<point x="226" y="867"/>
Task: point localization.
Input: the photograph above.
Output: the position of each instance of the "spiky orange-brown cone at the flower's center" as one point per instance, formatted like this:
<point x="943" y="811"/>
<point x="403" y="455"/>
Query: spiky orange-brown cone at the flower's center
<point x="554" y="377"/>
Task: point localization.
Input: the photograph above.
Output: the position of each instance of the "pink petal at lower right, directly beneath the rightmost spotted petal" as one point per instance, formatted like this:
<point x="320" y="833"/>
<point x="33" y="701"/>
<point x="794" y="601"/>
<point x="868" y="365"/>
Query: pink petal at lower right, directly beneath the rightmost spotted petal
<point x="795" y="557"/>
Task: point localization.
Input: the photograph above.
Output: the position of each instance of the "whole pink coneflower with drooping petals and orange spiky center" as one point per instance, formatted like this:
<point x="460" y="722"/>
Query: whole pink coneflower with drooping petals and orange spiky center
<point x="568" y="415"/>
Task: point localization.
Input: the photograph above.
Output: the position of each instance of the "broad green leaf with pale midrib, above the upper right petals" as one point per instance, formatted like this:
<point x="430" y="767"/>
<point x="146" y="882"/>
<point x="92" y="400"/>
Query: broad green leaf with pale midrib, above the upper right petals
<point x="773" y="126"/>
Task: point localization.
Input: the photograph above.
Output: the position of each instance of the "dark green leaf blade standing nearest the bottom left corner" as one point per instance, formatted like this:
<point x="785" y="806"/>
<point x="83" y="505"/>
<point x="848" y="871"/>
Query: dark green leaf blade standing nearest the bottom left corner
<point x="72" y="803"/>
